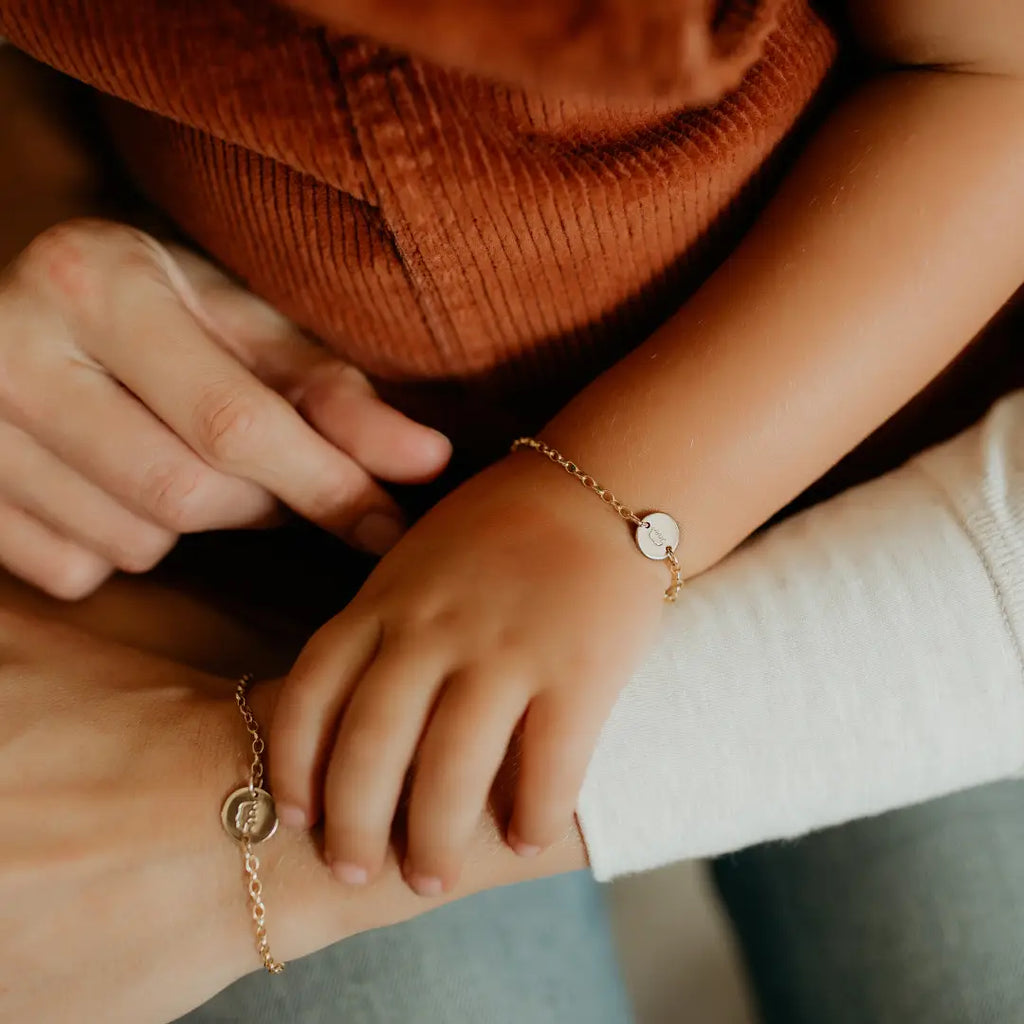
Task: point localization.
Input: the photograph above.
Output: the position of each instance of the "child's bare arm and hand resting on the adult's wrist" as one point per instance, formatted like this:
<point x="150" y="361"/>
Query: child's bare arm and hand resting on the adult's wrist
<point x="848" y="297"/>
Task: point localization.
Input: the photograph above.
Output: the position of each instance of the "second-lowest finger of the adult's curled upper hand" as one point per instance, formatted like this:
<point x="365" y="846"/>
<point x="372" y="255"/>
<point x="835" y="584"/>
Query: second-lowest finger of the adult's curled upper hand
<point x="41" y="485"/>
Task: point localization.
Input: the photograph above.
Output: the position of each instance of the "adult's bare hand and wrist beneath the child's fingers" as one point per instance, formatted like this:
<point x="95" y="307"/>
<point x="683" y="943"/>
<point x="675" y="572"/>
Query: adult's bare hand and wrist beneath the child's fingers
<point x="114" y="763"/>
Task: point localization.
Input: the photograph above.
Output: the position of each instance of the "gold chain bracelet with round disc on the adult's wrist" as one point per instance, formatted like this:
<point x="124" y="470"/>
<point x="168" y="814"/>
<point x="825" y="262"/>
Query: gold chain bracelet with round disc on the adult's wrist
<point x="250" y="819"/>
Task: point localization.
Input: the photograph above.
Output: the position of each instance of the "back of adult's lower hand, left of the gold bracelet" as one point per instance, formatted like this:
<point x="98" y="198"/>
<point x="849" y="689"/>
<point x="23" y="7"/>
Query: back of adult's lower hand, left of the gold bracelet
<point x="117" y="890"/>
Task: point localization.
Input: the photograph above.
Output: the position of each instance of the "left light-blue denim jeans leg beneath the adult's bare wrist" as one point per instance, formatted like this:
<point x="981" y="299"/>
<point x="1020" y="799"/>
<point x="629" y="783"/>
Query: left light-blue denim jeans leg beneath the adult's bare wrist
<point x="540" y="953"/>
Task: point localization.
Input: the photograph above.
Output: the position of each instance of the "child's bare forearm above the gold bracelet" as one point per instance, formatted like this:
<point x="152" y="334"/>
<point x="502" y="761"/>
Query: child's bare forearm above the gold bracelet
<point x="898" y="236"/>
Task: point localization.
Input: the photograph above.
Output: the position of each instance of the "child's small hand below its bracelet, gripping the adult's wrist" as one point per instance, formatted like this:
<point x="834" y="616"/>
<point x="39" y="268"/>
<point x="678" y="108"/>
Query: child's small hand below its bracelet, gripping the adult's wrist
<point x="518" y="599"/>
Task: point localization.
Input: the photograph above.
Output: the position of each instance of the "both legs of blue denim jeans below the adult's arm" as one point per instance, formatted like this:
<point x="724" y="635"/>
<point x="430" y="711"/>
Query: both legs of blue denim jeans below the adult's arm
<point x="915" y="917"/>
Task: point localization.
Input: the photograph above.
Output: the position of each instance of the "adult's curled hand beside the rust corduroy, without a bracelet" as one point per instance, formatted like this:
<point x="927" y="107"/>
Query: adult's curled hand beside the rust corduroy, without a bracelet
<point x="144" y="395"/>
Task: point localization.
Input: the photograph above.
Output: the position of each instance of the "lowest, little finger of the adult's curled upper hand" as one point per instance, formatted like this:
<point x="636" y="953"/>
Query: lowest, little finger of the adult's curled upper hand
<point x="38" y="556"/>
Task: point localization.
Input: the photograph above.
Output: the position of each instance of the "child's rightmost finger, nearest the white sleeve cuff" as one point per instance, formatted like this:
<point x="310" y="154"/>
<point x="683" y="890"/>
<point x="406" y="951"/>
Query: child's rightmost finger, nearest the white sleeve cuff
<point x="558" y="742"/>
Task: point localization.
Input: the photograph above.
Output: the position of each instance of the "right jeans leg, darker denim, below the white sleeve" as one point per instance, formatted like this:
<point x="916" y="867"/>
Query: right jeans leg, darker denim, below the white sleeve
<point x="915" y="917"/>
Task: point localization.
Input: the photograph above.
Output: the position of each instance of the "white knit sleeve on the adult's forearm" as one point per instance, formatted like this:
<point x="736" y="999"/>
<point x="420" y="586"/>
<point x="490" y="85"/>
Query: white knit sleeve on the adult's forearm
<point x="861" y="657"/>
